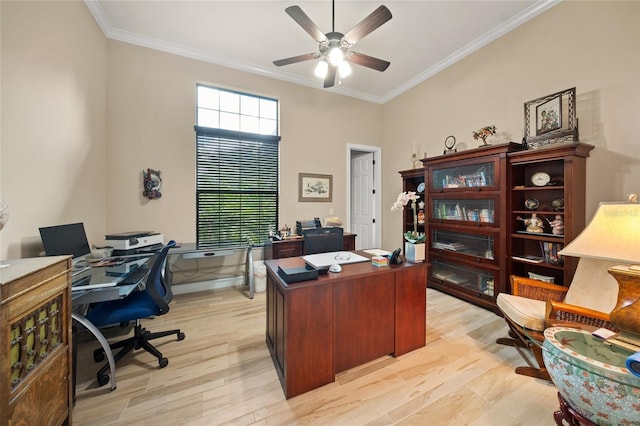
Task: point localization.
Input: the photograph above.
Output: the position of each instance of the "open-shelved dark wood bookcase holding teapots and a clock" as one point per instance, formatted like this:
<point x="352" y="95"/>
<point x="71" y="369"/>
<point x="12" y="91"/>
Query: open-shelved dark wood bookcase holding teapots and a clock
<point x="562" y="198"/>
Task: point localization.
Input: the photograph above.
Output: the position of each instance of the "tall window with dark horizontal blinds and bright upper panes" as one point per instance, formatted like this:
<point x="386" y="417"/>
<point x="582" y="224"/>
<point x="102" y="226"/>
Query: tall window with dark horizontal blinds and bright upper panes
<point x="237" y="153"/>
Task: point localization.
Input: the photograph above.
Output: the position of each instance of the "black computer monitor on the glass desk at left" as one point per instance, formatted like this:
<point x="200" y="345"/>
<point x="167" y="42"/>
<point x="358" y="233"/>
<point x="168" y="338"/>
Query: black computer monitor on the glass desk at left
<point x="65" y="239"/>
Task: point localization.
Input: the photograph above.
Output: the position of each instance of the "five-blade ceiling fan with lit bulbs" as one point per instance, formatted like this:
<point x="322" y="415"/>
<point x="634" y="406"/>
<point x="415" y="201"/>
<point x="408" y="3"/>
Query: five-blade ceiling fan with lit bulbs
<point x="334" y="47"/>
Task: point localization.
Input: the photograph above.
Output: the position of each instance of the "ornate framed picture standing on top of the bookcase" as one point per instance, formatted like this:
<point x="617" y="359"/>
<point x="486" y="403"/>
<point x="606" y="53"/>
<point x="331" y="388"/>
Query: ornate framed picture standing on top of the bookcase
<point x="551" y="119"/>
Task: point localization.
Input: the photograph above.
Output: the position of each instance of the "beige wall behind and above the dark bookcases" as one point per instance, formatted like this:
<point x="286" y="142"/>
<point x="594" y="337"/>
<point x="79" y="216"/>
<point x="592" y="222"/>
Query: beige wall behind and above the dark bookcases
<point x="594" y="46"/>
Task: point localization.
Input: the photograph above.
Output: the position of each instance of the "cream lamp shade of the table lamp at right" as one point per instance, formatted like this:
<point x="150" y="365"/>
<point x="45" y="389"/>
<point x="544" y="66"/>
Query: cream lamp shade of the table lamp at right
<point x="612" y="234"/>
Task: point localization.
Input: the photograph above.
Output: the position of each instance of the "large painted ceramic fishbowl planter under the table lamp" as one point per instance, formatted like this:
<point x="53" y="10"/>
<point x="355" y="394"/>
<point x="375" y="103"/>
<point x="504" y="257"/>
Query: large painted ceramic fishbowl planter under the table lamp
<point x="592" y="376"/>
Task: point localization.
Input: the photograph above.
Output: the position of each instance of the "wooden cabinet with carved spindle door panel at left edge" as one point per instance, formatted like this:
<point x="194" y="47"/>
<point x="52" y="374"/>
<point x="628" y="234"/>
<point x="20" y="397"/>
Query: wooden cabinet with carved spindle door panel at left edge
<point x="35" y="331"/>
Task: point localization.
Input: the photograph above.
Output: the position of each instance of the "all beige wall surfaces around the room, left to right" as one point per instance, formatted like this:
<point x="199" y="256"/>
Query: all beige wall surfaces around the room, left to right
<point x="68" y="94"/>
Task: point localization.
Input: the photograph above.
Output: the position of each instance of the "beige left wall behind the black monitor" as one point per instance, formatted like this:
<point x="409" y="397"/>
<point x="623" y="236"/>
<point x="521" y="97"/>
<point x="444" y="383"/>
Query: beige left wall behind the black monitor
<point x="53" y="134"/>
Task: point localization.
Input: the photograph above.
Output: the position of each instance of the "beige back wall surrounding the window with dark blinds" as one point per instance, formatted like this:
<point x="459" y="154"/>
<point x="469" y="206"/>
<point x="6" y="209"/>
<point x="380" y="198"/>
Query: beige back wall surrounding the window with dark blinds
<point x="151" y="114"/>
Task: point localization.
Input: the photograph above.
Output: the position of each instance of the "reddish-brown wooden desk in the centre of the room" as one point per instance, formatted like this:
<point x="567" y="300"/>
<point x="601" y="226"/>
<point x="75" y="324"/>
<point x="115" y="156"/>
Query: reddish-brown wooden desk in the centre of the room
<point x="321" y="327"/>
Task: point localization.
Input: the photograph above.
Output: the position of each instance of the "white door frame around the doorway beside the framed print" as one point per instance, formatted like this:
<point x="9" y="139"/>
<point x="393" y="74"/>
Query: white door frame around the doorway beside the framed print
<point x="377" y="185"/>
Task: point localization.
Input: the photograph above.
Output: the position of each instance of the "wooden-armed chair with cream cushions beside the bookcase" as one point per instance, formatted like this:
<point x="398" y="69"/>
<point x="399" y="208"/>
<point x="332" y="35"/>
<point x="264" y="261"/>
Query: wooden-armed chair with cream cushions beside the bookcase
<point x="588" y="300"/>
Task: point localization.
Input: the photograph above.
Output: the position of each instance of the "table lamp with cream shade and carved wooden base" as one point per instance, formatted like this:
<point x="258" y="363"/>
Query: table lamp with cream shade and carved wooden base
<point x="614" y="234"/>
